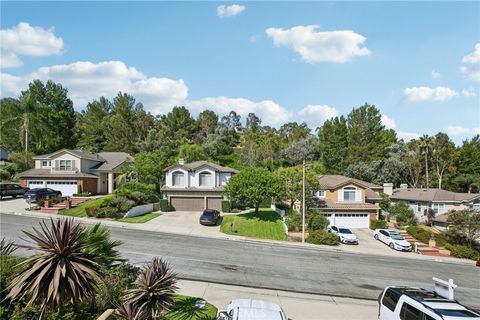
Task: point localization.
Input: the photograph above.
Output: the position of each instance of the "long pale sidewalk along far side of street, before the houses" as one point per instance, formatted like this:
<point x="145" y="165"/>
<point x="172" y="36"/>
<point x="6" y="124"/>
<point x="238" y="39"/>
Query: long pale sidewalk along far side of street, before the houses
<point x="155" y="225"/>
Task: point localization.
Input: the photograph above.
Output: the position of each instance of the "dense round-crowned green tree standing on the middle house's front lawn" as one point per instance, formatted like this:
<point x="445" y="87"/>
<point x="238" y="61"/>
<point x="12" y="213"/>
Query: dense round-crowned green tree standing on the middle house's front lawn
<point x="254" y="185"/>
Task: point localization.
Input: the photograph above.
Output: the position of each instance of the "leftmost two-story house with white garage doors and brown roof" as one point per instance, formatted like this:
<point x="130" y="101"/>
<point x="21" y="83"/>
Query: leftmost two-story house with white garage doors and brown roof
<point x="73" y="171"/>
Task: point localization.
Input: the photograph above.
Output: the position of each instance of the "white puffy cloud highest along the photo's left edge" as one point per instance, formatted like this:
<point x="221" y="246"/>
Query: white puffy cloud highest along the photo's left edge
<point x="25" y="40"/>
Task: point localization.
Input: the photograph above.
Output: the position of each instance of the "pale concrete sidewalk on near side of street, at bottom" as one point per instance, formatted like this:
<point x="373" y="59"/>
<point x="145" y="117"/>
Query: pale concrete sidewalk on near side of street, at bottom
<point x="296" y="306"/>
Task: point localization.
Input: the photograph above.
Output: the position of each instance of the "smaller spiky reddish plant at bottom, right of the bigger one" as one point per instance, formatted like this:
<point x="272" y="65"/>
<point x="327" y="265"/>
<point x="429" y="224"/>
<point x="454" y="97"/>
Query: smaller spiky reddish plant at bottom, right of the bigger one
<point x="153" y="291"/>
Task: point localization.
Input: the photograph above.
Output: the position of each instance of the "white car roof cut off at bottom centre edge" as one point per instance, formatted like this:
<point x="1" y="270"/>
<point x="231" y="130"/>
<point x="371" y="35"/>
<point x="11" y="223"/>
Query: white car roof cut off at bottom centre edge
<point x="252" y="309"/>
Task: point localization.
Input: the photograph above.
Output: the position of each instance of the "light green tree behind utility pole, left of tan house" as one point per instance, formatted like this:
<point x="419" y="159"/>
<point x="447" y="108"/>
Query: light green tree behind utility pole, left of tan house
<point x="292" y="179"/>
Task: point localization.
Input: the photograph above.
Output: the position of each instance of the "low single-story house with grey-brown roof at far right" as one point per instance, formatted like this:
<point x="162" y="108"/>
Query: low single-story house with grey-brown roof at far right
<point x="441" y="201"/>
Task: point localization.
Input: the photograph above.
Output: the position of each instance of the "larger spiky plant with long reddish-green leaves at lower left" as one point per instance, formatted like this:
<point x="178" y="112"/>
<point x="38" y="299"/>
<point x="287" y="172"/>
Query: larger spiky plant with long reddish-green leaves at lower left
<point x="61" y="271"/>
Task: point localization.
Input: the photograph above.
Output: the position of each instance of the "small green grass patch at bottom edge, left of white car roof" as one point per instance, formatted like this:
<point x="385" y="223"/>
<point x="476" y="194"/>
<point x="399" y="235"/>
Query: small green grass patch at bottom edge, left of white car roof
<point x="184" y="309"/>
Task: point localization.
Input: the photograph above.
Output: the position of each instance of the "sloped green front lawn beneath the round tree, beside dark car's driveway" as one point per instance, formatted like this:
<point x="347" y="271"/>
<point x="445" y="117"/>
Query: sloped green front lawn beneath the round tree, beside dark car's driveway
<point x="266" y="225"/>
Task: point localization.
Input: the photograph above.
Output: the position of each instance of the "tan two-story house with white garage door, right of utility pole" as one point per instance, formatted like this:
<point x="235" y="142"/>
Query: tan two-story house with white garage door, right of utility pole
<point x="347" y="202"/>
